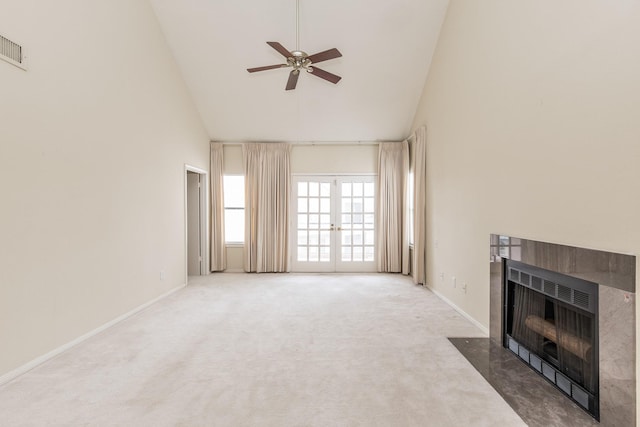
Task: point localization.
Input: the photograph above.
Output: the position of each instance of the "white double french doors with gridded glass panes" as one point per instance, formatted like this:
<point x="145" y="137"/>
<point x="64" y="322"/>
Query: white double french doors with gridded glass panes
<point x="333" y="227"/>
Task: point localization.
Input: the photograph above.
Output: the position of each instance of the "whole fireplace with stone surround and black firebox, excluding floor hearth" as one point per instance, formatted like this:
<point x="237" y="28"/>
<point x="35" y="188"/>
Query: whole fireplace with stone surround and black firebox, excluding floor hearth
<point x="581" y="309"/>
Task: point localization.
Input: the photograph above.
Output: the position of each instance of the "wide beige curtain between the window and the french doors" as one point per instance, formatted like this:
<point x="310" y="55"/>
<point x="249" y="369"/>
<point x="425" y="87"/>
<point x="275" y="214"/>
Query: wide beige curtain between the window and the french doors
<point x="267" y="193"/>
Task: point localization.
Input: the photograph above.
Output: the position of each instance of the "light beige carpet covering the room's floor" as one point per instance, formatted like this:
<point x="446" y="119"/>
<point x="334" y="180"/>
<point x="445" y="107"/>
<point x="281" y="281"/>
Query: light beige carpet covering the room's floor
<point x="269" y="350"/>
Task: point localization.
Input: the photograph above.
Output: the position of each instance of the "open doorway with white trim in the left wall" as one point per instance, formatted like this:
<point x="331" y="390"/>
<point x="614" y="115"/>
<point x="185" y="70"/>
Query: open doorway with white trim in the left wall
<point x="196" y="224"/>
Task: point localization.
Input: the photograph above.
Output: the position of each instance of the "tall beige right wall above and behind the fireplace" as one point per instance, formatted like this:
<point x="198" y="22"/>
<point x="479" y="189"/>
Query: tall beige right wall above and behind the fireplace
<point x="532" y="112"/>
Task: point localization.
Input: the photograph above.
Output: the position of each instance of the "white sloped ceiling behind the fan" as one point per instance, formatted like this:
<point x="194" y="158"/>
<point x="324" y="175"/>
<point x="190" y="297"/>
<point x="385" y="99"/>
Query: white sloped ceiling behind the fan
<point x="386" y="45"/>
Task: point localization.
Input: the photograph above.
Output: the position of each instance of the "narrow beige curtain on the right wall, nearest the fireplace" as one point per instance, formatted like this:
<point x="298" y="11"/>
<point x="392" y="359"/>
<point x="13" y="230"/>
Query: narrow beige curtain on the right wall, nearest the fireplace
<point x="419" y="167"/>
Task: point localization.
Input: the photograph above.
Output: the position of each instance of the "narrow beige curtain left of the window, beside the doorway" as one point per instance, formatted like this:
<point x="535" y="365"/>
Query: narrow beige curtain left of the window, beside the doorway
<point x="216" y="200"/>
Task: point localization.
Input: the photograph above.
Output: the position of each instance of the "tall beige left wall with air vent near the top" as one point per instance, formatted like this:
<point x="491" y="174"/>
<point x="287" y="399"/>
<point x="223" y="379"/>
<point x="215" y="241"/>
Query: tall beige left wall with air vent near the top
<point x="93" y="142"/>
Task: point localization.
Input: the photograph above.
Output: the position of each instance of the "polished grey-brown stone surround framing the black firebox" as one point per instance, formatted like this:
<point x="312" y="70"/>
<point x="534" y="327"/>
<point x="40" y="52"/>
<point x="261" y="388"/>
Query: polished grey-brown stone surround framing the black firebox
<point x="615" y="274"/>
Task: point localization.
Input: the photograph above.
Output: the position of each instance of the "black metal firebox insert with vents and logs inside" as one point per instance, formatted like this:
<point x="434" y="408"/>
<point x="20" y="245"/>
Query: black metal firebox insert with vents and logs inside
<point x="550" y="321"/>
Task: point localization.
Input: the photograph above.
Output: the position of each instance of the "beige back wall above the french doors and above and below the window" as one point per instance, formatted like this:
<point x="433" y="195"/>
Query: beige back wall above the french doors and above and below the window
<point x="308" y="159"/>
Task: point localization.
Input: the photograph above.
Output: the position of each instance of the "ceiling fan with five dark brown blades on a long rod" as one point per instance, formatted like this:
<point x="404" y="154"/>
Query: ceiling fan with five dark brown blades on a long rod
<point x="299" y="60"/>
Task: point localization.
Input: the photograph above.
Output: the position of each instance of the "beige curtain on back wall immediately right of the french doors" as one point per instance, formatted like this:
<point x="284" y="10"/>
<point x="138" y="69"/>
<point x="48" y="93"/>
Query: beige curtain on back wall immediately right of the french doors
<point x="392" y="221"/>
